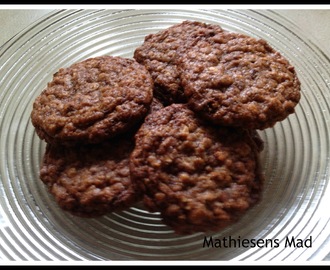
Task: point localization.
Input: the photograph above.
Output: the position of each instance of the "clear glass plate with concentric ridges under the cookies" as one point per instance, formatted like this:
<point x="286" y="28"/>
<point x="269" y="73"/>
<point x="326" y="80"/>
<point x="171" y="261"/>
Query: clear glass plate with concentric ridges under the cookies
<point x="295" y="159"/>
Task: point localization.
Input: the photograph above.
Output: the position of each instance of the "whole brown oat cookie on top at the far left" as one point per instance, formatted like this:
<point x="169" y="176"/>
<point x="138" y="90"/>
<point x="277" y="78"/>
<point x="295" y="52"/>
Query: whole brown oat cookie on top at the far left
<point x="93" y="100"/>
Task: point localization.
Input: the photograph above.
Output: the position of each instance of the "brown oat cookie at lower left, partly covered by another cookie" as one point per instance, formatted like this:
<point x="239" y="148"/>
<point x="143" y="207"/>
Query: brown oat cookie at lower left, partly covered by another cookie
<point x="90" y="180"/>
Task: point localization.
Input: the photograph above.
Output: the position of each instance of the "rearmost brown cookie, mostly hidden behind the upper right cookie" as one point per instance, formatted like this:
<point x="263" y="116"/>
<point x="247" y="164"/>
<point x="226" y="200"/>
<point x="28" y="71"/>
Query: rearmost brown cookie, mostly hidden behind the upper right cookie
<point x="158" y="54"/>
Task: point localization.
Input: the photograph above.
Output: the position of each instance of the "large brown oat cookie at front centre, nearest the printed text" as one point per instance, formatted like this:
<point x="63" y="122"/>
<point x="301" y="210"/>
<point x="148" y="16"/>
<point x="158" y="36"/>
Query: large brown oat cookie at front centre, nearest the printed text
<point x="199" y="177"/>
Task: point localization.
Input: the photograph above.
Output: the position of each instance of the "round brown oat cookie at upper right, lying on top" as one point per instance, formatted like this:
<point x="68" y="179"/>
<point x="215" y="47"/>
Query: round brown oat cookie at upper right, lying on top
<point x="237" y="80"/>
